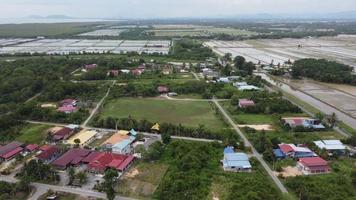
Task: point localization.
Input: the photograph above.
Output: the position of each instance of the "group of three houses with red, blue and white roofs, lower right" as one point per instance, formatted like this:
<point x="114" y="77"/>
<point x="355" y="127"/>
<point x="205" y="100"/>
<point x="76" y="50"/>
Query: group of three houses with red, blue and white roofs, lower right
<point x="308" y="161"/>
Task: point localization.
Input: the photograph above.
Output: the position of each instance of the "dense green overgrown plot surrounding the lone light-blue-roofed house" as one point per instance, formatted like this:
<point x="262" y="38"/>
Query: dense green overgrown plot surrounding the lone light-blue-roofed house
<point x="194" y="172"/>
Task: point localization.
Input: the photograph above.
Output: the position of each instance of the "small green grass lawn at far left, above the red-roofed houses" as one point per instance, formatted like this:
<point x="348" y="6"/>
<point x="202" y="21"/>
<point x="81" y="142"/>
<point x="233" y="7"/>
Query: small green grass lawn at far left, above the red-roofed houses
<point x="33" y="133"/>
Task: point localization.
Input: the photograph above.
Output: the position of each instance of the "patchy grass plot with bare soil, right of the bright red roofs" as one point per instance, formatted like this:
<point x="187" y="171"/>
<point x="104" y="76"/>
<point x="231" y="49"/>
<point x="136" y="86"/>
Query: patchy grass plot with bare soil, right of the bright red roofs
<point x="142" y="180"/>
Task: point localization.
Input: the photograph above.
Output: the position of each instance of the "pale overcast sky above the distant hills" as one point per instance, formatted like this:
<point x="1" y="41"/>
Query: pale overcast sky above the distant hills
<point x="168" y="8"/>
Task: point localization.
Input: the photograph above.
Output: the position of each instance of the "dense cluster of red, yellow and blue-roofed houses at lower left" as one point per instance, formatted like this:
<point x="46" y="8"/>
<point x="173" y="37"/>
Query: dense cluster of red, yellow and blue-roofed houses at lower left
<point x="116" y="151"/>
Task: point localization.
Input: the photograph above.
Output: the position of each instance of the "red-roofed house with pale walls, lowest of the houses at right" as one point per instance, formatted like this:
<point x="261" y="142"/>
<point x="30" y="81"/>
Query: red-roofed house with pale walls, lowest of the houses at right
<point x="313" y="165"/>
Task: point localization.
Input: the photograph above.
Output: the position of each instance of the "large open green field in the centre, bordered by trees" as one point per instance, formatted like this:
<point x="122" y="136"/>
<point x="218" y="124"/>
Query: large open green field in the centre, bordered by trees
<point x="188" y="113"/>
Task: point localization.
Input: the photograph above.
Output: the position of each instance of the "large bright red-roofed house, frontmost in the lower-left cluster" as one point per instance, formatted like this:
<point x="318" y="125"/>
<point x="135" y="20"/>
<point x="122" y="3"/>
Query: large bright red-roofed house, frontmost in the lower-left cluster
<point x="106" y="160"/>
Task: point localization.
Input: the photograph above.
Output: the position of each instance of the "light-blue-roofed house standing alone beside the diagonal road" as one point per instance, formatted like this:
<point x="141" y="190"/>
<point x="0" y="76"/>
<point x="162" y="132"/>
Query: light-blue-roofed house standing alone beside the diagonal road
<point x="235" y="162"/>
